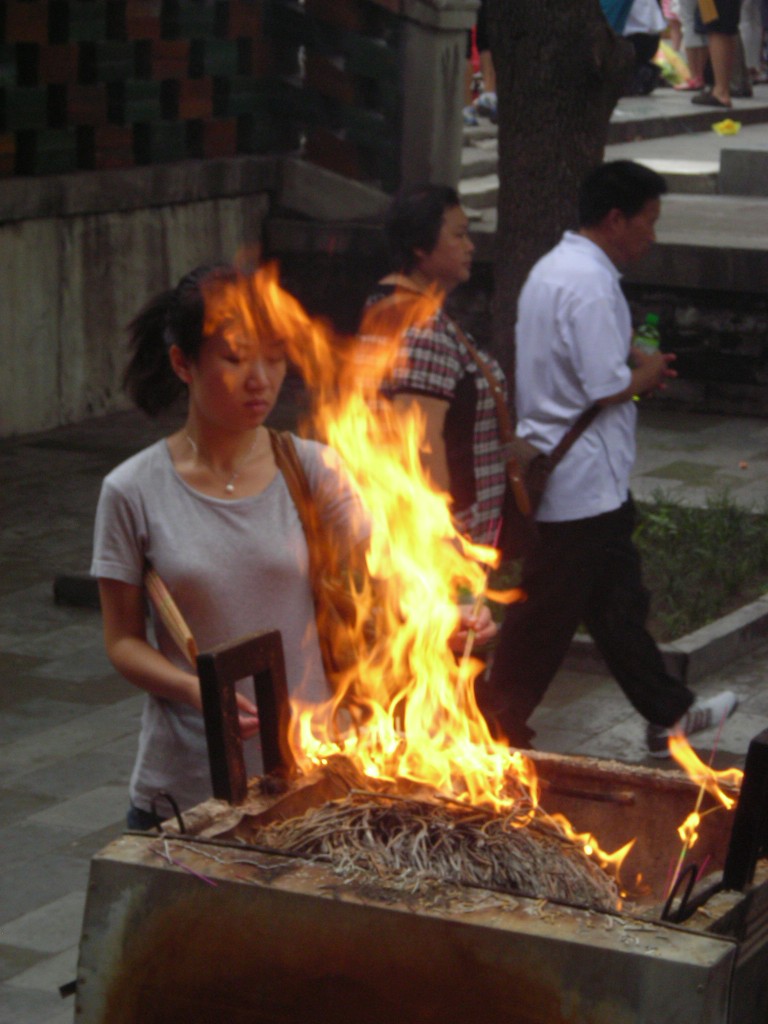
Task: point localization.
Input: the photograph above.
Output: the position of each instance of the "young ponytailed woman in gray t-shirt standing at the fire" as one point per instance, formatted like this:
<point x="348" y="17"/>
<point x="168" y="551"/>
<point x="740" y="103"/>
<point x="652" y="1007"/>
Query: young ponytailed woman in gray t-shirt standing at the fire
<point x="211" y="514"/>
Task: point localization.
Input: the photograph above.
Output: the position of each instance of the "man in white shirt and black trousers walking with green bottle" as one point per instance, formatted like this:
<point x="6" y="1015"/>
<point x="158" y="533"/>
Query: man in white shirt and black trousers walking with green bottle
<point x="575" y="351"/>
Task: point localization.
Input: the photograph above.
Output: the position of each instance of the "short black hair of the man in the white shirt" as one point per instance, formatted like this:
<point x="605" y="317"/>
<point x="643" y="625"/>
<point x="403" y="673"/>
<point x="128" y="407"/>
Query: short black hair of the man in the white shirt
<point x="621" y="185"/>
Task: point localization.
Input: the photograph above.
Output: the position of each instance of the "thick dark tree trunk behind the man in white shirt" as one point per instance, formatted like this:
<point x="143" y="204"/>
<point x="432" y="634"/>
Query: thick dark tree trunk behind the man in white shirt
<point x="560" y="73"/>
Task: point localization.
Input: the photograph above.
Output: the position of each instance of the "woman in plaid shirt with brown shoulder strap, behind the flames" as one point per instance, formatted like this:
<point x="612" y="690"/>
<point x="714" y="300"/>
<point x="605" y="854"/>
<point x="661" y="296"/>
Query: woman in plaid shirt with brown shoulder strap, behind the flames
<point x="432" y="249"/>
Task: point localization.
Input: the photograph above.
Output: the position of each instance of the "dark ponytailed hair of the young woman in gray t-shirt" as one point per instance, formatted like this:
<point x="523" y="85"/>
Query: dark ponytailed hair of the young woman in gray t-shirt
<point x="174" y="318"/>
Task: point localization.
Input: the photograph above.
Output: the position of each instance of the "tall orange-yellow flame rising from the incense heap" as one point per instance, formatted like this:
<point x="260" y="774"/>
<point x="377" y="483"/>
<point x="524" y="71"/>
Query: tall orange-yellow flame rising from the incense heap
<point x="406" y="711"/>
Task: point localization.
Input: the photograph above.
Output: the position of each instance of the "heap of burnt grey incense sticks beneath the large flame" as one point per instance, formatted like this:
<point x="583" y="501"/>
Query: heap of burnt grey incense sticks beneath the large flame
<point x="411" y="844"/>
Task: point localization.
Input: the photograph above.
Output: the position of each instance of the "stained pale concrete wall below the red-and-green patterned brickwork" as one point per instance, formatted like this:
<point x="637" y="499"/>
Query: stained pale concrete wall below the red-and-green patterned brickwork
<point x="73" y="277"/>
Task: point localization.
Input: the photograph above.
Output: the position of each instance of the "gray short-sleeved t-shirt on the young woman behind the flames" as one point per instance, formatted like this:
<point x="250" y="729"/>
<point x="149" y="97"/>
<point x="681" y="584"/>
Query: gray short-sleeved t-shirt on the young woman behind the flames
<point x="234" y="568"/>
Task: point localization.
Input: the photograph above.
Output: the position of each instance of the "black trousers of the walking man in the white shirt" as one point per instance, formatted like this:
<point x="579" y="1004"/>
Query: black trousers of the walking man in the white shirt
<point x="582" y="572"/>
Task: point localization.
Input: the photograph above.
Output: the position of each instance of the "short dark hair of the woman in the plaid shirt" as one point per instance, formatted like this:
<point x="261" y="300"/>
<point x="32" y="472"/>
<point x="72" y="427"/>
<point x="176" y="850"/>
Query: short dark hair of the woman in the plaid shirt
<point x="414" y="222"/>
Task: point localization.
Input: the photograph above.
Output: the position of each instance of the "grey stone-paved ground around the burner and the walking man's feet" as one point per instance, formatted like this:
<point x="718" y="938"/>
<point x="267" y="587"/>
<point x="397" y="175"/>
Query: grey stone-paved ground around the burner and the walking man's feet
<point x="70" y="724"/>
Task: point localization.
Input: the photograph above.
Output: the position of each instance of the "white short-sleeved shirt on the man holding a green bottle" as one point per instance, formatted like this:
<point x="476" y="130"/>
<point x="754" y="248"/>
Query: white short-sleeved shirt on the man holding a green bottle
<point x="574" y="337"/>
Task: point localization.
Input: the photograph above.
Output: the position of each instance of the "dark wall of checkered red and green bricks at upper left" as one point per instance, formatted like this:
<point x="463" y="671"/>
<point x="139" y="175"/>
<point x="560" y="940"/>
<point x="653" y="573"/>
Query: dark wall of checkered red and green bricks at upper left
<point x="90" y="86"/>
